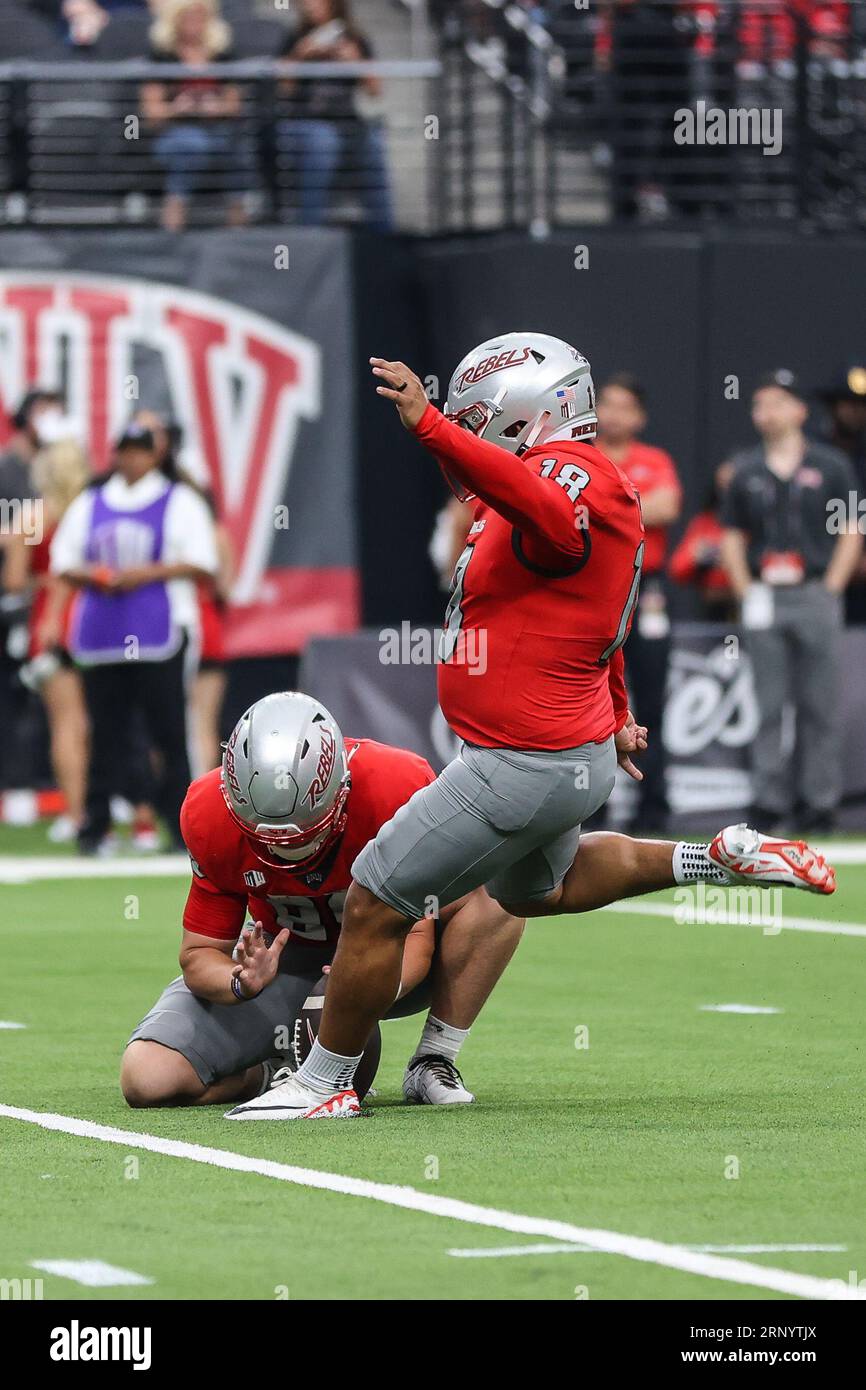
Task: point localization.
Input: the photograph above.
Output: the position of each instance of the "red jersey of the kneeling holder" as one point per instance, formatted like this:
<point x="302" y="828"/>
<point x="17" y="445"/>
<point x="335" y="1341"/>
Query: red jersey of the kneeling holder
<point x="230" y="882"/>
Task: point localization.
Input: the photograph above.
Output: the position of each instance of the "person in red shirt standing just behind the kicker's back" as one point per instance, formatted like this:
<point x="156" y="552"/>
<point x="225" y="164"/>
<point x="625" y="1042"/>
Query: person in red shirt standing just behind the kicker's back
<point x="622" y="419"/>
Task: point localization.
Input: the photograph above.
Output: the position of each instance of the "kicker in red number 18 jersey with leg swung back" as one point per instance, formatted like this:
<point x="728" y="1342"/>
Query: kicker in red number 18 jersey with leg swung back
<point x="532" y="679"/>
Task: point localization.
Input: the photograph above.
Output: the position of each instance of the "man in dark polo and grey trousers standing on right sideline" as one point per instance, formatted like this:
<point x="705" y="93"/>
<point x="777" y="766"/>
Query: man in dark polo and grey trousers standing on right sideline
<point x="792" y="546"/>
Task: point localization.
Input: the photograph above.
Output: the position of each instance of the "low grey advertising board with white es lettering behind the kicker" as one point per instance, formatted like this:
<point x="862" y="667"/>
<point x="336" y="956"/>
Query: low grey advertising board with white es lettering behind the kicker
<point x="383" y="685"/>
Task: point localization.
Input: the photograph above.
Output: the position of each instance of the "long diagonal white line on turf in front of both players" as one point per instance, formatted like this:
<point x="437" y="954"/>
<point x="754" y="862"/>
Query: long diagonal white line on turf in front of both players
<point x="608" y="1242"/>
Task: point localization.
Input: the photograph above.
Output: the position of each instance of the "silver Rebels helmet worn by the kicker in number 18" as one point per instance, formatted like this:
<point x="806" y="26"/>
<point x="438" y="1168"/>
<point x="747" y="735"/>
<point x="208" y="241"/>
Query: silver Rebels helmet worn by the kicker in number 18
<point x="523" y="390"/>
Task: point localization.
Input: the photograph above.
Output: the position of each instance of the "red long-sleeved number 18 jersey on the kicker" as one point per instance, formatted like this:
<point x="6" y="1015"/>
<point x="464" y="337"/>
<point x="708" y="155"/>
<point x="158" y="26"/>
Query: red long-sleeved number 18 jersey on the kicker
<point x="543" y="596"/>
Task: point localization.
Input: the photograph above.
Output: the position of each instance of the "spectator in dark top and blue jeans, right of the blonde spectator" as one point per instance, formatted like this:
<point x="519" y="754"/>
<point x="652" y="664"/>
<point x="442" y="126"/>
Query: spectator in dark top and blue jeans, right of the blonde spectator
<point x="326" y="129"/>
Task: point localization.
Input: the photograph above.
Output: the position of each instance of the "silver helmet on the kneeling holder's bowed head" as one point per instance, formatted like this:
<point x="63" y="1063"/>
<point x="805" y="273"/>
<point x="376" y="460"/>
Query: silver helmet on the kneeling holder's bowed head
<point x="286" y="778"/>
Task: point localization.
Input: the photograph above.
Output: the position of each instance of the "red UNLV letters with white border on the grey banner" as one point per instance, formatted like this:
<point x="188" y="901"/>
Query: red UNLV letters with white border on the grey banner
<point x="240" y="383"/>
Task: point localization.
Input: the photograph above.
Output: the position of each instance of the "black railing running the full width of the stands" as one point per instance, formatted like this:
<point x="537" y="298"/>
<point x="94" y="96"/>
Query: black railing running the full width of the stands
<point x="678" y="112"/>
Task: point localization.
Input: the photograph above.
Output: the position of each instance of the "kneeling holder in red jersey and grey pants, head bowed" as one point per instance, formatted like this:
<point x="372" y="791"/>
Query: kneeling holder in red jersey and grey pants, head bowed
<point x="275" y="833"/>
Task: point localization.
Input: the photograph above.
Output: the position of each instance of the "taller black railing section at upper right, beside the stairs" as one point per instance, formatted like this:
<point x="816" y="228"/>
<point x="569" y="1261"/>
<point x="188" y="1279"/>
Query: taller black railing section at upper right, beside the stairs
<point x="661" y="111"/>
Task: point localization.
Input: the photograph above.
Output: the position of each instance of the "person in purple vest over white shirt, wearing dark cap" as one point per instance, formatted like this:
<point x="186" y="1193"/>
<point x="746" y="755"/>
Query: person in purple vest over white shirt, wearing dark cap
<point x="136" y="544"/>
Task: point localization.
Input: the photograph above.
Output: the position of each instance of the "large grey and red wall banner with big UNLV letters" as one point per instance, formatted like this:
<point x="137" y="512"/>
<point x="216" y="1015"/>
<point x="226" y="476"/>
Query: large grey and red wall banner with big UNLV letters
<point x="236" y="338"/>
